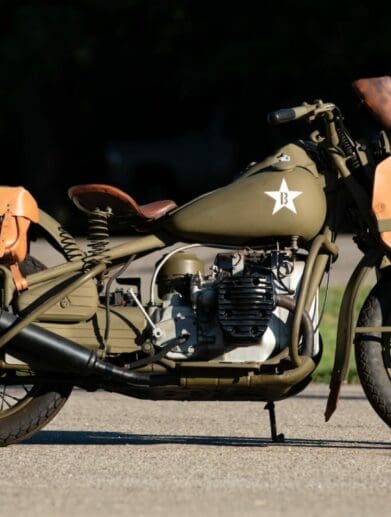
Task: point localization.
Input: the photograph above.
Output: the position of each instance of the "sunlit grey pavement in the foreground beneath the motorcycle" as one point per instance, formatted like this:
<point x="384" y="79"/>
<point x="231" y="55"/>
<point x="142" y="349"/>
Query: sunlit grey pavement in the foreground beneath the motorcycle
<point x="108" y="455"/>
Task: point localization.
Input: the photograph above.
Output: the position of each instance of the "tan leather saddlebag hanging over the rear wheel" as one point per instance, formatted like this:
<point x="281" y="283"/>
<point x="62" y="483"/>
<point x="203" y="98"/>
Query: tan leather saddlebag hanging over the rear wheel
<point x="18" y="209"/>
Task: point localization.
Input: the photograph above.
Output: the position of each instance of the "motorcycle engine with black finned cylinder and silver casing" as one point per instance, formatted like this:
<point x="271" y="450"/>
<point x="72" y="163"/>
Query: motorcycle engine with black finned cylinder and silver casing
<point x="231" y="314"/>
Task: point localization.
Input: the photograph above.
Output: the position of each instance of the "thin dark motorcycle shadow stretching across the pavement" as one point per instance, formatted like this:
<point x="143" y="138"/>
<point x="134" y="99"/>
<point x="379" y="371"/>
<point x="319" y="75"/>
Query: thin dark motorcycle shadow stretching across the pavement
<point x="110" y="438"/>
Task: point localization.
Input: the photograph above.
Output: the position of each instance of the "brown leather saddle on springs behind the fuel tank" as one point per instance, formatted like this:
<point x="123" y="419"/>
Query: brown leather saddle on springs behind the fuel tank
<point x="106" y="198"/>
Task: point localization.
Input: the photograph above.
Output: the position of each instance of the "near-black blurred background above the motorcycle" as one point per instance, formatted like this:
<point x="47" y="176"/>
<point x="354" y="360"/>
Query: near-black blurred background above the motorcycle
<point x="168" y="98"/>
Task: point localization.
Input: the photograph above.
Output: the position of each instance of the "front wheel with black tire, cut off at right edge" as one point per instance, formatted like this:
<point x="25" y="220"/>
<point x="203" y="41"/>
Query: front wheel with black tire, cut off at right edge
<point x="373" y="350"/>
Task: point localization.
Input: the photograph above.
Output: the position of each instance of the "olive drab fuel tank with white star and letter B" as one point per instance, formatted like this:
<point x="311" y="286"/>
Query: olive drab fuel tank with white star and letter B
<point x="279" y="197"/>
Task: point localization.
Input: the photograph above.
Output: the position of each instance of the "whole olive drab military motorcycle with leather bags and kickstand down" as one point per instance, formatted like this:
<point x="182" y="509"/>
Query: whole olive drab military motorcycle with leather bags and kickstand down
<point x="246" y="327"/>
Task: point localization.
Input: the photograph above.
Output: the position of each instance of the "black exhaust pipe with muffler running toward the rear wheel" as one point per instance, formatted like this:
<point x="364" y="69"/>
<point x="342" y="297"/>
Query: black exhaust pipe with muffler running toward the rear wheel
<point x="34" y="344"/>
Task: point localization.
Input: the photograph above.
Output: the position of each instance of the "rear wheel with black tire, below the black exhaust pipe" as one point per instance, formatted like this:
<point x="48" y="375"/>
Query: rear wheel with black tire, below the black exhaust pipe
<point x="25" y="409"/>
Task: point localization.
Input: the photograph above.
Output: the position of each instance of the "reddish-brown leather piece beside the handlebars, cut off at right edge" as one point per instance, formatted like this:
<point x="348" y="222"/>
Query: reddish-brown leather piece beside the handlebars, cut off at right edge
<point x="376" y="94"/>
